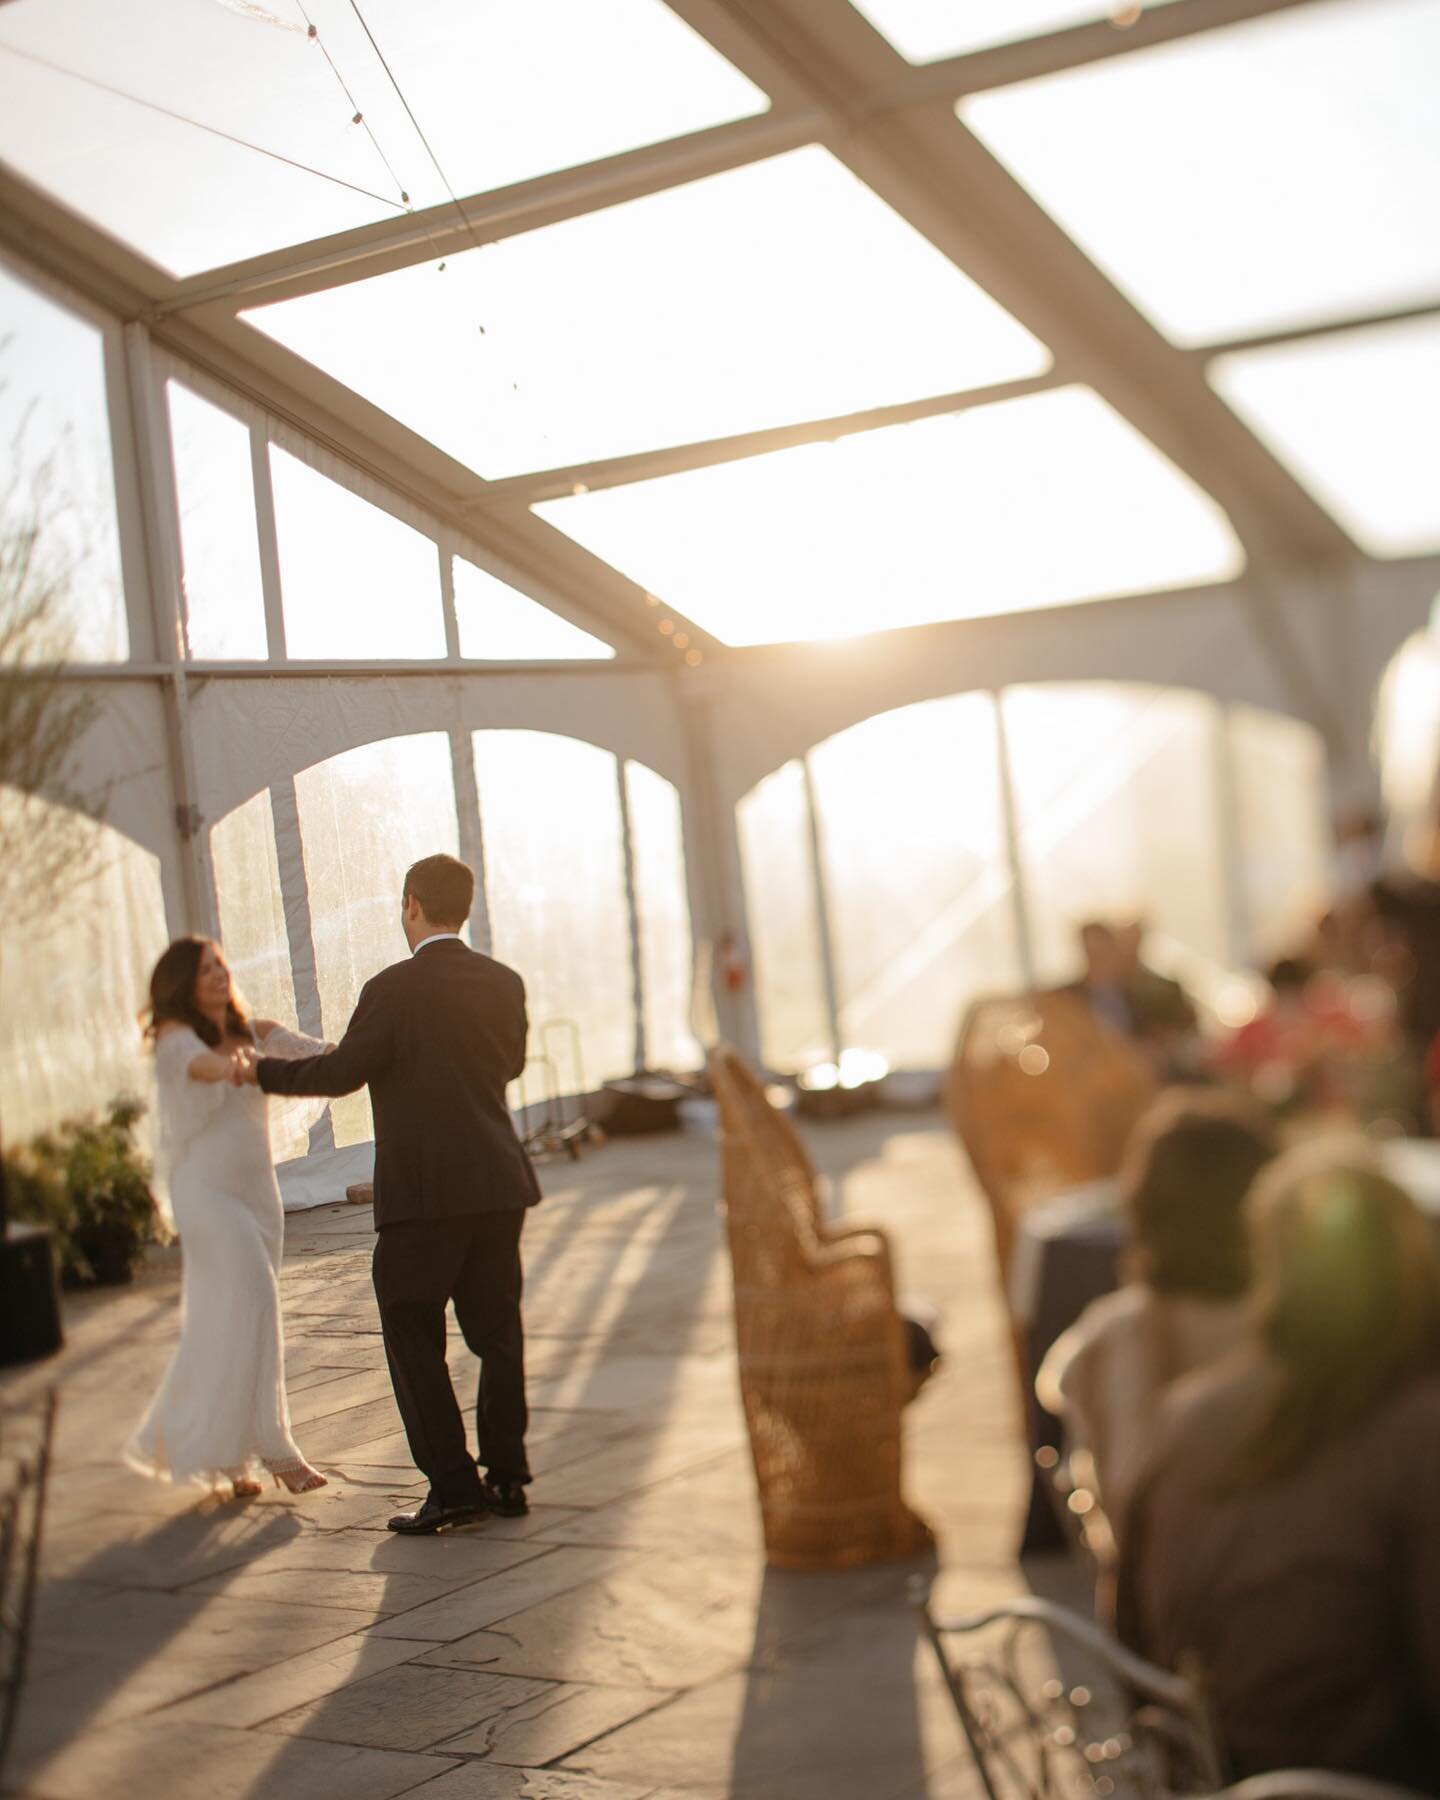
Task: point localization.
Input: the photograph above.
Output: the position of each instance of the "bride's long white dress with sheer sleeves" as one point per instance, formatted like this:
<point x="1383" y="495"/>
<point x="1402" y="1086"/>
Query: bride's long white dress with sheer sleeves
<point x="222" y="1405"/>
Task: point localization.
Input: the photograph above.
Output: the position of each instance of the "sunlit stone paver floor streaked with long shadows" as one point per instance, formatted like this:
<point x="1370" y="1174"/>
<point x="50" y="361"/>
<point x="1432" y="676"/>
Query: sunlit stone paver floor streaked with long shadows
<point x="625" y="1641"/>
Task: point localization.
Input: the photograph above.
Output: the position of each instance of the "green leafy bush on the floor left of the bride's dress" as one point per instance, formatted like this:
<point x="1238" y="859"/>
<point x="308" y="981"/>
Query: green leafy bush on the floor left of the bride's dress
<point x="91" y="1187"/>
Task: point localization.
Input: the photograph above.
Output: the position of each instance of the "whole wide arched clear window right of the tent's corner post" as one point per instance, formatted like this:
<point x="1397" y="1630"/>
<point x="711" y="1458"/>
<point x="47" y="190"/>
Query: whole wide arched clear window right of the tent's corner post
<point x="949" y="849"/>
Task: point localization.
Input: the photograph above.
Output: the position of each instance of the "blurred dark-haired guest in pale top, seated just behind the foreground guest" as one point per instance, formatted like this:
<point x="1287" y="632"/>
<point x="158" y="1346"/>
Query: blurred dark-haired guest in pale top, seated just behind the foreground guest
<point x="1187" y="1173"/>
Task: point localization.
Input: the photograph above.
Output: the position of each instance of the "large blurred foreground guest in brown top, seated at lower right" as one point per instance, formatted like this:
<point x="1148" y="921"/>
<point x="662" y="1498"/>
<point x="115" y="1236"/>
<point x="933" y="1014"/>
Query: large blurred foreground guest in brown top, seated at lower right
<point x="1282" y="1538"/>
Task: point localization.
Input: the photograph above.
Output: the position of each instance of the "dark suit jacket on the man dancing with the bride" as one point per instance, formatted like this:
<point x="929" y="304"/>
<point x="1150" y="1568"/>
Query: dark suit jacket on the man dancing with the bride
<point x="436" y="1038"/>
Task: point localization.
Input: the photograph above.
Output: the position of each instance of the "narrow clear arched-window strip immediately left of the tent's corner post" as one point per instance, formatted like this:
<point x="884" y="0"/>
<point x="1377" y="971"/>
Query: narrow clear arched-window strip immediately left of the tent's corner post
<point x="663" y="919"/>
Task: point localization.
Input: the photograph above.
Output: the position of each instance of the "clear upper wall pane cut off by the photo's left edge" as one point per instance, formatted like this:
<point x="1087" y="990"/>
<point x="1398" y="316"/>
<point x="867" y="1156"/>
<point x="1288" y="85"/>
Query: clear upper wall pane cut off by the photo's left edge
<point x="55" y="427"/>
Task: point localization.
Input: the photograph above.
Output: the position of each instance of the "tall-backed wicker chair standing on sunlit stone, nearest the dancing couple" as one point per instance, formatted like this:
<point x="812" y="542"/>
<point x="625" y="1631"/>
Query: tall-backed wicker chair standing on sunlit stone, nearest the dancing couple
<point x="823" y="1371"/>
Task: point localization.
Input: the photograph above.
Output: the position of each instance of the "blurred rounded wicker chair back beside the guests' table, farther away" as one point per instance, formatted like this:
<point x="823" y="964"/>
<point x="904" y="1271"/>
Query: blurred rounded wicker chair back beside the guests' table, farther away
<point x="1043" y="1095"/>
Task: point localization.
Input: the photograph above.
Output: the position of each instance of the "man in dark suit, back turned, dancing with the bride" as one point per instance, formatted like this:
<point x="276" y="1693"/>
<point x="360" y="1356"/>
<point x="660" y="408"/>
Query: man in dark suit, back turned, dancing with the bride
<point x="436" y="1039"/>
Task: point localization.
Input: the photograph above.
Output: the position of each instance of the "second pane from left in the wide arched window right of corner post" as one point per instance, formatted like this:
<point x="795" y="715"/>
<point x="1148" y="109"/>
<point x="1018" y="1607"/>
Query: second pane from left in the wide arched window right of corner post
<point x="917" y="876"/>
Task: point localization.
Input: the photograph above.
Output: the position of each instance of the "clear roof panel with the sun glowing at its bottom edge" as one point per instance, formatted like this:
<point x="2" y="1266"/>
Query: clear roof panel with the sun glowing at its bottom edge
<point x="1002" y="508"/>
